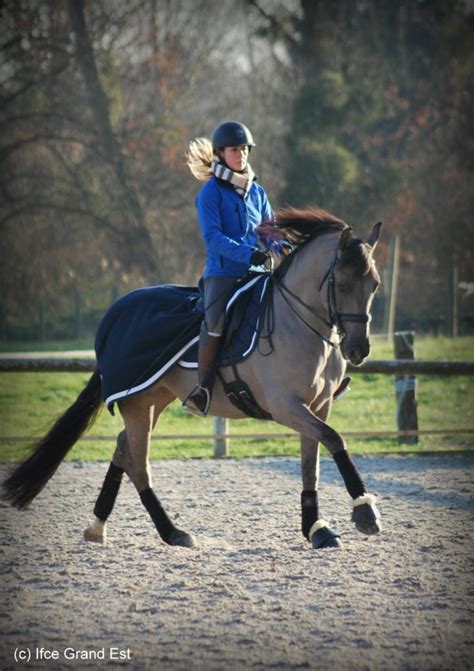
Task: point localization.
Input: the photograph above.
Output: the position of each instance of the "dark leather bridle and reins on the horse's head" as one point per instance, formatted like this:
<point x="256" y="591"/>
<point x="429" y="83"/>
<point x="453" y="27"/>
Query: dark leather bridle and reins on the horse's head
<point x="336" y="318"/>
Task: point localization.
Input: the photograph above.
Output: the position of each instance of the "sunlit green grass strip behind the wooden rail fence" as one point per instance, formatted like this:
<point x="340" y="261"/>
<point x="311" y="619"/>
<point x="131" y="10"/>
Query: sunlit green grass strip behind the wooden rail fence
<point x="29" y="402"/>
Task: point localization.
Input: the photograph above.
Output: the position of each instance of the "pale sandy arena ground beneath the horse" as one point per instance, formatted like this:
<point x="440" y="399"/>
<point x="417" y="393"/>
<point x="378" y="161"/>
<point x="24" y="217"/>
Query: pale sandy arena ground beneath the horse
<point x="253" y="595"/>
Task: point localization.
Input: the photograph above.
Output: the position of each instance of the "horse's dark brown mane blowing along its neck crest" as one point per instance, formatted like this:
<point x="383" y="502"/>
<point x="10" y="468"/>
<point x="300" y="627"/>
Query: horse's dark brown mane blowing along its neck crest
<point x="298" y="227"/>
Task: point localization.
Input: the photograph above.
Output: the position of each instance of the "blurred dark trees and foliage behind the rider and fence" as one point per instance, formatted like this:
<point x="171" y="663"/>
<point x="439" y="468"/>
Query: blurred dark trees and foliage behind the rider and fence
<point x="363" y="108"/>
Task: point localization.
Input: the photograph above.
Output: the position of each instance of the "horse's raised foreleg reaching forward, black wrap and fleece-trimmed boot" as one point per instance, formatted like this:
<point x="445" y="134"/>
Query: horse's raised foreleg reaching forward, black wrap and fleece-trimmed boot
<point x="291" y="412"/>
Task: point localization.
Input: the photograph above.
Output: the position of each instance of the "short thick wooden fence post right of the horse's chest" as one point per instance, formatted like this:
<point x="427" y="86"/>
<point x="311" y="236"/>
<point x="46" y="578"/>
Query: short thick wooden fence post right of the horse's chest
<point x="405" y="386"/>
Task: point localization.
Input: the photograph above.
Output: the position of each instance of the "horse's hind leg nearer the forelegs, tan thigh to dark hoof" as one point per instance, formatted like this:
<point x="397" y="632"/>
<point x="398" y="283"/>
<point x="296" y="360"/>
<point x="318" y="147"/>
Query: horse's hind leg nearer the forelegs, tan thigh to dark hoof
<point x="140" y="416"/>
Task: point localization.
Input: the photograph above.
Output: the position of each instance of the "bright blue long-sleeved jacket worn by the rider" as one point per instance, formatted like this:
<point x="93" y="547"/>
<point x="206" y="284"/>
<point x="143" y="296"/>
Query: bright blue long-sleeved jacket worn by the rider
<point x="228" y="222"/>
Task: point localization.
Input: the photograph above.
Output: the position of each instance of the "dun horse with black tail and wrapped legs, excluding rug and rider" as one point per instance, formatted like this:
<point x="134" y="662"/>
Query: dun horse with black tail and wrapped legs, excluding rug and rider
<point x="317" y="316"/>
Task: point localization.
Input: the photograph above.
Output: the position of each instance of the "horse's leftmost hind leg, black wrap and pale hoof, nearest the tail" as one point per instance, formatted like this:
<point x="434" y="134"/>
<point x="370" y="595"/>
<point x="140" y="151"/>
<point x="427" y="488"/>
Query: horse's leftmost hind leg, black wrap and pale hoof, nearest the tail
<point x="96" y="532"/>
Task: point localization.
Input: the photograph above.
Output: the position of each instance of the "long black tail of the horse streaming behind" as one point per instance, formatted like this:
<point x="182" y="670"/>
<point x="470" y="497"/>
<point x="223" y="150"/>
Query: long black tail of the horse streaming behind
<point x="28" y="478"/>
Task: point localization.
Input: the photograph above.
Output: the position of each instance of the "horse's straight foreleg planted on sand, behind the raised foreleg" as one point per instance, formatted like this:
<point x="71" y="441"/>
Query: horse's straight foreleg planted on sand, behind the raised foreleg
<point x="314" y="527"/>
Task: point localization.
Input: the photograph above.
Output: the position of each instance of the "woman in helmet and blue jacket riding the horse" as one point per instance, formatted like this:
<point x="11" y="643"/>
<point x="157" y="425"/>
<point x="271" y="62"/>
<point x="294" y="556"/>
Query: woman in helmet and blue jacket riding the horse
<point x="230" y="206"/>
